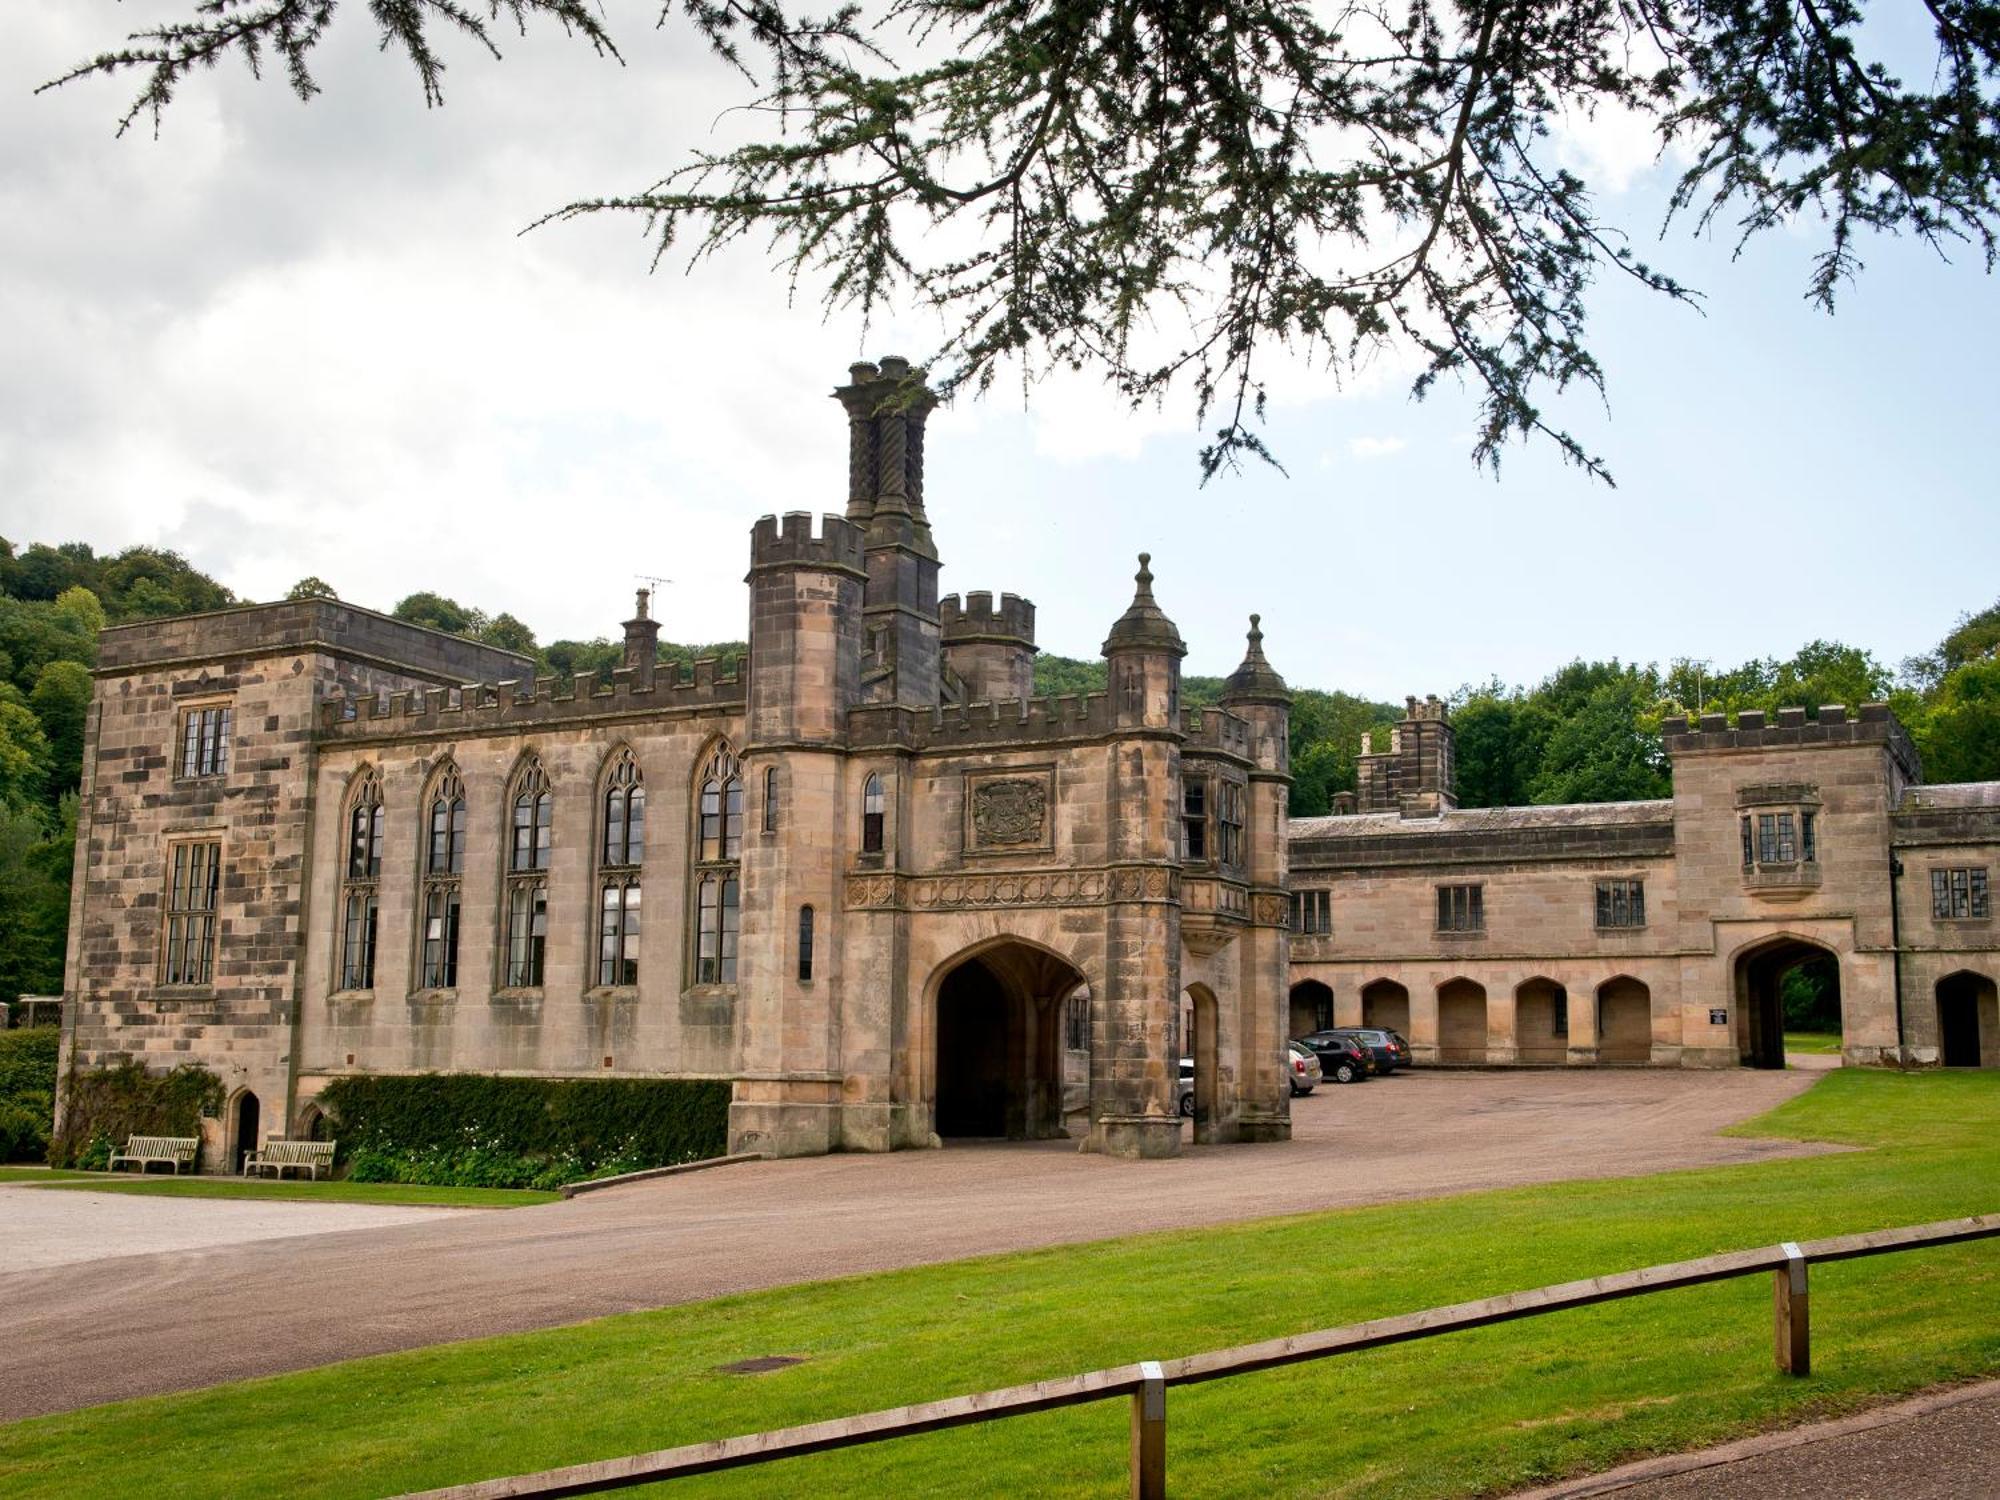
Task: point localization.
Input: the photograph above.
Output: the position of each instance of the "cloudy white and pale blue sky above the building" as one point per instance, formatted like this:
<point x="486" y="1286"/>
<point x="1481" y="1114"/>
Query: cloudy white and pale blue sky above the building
<point x="311" y="341"/>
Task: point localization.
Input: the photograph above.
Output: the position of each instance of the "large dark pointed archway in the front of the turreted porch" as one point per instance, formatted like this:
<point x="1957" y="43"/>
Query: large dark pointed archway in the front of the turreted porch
<point x="1001" y="1043"/>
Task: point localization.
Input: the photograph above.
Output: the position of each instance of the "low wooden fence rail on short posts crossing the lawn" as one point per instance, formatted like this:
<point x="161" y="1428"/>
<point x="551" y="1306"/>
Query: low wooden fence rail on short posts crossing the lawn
<point x="1147" y="1383"/>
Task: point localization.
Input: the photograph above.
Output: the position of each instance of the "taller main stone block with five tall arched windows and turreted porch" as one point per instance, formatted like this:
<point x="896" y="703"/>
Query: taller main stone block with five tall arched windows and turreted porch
<point x="867" y="877"/>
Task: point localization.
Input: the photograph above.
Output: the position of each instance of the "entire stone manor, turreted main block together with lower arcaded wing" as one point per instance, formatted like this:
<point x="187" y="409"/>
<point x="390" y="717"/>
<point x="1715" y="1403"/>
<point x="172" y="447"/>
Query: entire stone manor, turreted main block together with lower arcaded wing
<point x="893" y="899"/>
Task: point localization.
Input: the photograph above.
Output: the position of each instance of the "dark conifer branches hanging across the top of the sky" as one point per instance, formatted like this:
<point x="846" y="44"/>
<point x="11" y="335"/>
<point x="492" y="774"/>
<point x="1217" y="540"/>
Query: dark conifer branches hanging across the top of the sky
<point x="1175" y="195"/>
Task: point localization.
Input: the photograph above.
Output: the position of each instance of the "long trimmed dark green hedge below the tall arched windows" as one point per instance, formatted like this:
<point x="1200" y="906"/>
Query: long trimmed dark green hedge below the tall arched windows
<point x="521" y="1133"/>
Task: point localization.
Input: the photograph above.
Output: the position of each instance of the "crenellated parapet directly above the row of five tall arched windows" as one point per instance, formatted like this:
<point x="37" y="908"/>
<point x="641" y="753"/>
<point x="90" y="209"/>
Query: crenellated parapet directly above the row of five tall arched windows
<point x="485" y="707"/>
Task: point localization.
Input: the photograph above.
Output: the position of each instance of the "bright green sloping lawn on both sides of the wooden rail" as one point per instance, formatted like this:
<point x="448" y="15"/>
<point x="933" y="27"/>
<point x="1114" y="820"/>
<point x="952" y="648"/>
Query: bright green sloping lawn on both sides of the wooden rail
<point x="1465" y="1415"/>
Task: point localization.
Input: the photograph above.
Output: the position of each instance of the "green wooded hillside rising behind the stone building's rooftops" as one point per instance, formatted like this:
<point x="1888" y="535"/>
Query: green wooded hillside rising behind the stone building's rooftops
<point x="1589" y="733"/>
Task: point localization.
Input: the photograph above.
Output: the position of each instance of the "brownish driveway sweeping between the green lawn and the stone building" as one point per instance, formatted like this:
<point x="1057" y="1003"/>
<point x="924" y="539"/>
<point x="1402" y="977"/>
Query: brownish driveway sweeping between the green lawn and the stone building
<point x="193" y="1317"/>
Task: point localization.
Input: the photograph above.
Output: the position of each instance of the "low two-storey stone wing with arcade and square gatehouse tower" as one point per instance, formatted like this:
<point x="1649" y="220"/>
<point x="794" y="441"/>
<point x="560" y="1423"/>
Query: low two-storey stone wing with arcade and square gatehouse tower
<point x="1629" y="933"/>
